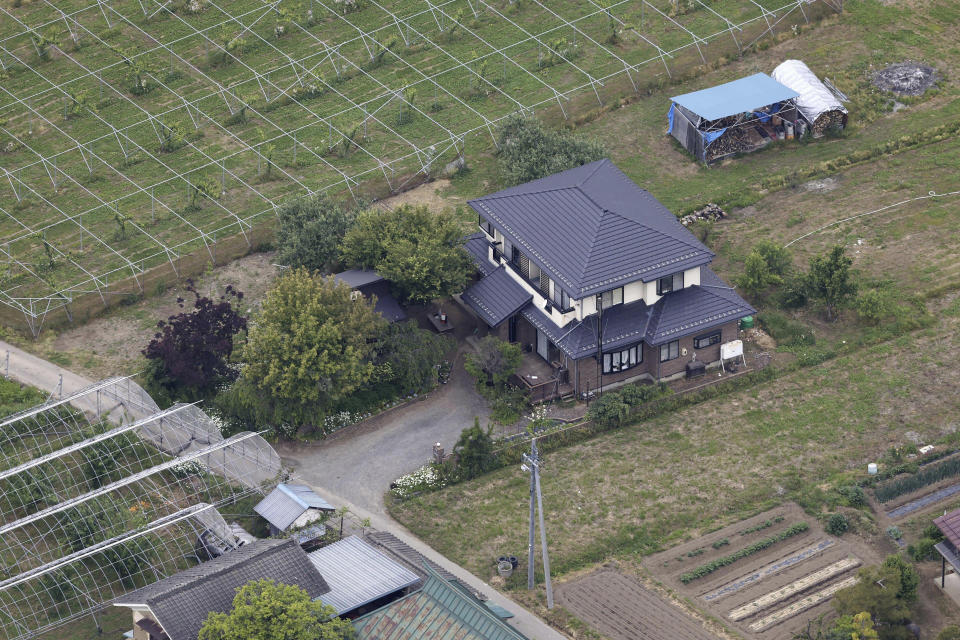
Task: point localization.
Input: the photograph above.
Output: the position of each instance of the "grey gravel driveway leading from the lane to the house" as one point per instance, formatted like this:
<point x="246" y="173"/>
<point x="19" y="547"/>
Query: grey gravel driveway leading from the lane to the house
<point x="359" y="462"/>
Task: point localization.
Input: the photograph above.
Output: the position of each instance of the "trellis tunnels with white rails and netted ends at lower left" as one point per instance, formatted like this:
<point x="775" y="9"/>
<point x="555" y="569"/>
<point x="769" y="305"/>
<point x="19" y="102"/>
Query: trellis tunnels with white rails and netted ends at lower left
<point x="173" y="469"/>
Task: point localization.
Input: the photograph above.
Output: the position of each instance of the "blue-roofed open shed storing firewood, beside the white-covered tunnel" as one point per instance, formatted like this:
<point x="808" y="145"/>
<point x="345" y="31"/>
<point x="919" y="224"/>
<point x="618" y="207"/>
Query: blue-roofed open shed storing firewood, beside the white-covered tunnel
<point x="736" y="117"/>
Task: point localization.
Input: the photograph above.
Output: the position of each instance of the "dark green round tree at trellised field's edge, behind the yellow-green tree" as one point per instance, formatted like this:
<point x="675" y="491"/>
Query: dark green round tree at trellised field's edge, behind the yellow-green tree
<point x="310" y="231"/>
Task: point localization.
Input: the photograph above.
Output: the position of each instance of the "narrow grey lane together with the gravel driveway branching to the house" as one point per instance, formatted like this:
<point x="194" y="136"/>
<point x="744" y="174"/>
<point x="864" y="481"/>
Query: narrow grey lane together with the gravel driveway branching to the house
<point x="357" y="467"/>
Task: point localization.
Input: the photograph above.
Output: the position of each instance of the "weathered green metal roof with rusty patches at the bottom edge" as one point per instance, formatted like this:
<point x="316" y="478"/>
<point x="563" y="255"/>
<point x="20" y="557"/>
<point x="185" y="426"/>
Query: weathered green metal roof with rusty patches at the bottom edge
<point x="441" y="610"/>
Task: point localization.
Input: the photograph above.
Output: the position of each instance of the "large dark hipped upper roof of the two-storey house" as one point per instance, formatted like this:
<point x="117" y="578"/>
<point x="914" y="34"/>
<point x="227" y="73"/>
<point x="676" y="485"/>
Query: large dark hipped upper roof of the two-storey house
<point x="592" y="229"/>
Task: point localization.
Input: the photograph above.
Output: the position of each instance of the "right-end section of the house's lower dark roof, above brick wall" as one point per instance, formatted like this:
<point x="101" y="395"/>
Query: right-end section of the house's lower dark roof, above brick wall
<point x="695" y="309"/>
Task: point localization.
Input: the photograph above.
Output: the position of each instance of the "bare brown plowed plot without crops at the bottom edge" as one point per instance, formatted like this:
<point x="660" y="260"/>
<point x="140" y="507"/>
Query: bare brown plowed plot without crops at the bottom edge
<point x="621" y="608"/>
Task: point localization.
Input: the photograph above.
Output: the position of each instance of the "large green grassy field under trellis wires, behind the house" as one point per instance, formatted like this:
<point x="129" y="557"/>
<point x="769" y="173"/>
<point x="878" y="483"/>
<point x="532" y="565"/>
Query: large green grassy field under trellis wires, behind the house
<point x="131" y="135"/>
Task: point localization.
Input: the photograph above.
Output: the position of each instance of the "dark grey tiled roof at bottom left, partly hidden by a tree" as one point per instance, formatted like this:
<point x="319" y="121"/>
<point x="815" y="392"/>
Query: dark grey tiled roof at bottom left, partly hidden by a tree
<point x="182" y="602"/>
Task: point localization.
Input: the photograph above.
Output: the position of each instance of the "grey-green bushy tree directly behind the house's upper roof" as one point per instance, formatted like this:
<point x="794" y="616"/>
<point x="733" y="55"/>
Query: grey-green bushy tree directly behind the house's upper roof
<point x="528" y="150"/>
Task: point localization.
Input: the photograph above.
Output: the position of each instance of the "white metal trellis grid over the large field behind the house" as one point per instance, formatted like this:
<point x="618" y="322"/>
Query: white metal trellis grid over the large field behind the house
<point x="409" y="159"/>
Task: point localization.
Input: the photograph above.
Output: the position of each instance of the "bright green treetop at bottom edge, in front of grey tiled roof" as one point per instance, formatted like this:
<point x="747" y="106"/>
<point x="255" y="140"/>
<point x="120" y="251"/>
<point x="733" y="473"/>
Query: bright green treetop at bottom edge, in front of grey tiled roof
<point x="265" y="610"/>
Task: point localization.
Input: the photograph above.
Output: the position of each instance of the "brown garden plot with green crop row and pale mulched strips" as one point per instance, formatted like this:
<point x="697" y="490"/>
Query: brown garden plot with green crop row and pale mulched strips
<point x="748" y="591"/>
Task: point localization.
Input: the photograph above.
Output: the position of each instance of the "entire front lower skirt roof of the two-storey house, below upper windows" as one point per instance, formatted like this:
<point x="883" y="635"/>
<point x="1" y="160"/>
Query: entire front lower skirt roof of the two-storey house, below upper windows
<point x="678" y="314"/>
